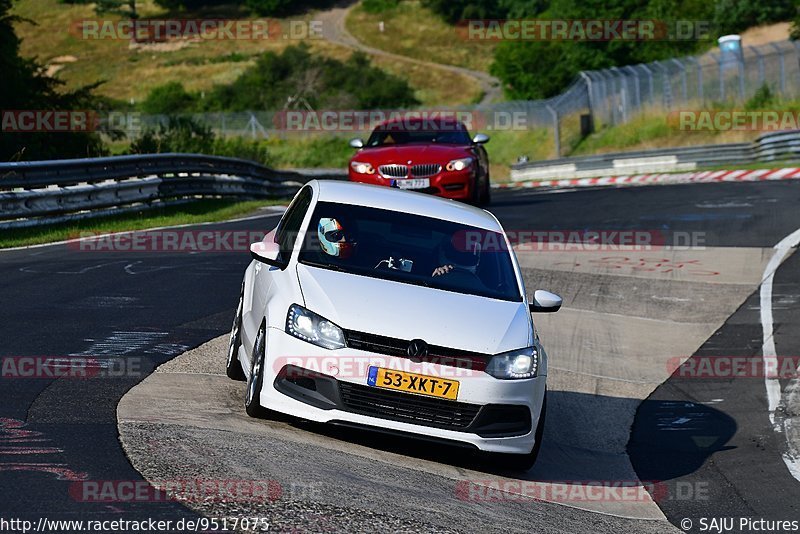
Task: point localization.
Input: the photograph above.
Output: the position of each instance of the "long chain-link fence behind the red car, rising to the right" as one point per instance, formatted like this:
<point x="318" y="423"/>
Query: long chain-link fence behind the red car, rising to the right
<point x="596" y="98"/>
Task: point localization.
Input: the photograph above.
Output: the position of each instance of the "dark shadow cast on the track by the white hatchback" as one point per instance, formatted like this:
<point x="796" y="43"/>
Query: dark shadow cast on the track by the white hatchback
<point x="585" y="440"/>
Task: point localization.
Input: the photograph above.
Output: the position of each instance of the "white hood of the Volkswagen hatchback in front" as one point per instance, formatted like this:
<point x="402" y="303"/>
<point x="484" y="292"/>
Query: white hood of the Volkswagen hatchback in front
<point x="405" y="311"/>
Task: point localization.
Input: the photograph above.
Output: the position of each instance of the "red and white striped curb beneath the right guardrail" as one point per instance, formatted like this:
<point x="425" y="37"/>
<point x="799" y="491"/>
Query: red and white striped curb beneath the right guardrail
<point x="664" y="178"/>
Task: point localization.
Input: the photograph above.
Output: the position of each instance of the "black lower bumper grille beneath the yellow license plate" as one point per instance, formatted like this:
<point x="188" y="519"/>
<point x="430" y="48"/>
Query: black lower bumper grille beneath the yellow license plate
<point x="407" y="407"/>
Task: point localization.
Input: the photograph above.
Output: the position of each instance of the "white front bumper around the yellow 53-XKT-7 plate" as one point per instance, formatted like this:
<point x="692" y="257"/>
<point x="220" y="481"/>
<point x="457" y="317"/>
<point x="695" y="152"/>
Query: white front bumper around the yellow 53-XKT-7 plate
<point x="345" y="370"/>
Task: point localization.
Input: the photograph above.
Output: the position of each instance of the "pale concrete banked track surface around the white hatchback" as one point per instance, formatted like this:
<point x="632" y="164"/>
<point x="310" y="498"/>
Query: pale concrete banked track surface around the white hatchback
<point x="629" y="318"/>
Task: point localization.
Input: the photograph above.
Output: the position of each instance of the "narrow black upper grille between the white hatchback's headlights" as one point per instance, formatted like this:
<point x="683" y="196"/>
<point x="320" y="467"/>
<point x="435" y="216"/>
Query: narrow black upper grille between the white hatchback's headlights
<point x="399" y="347"/>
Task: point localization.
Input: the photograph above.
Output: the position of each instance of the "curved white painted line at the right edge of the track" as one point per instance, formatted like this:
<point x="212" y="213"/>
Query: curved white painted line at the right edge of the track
<point x="769" y="353"/>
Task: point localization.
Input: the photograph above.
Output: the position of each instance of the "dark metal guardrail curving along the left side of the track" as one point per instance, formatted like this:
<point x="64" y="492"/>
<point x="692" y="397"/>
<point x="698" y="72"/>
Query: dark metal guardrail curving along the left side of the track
<point x="41" y="192"/>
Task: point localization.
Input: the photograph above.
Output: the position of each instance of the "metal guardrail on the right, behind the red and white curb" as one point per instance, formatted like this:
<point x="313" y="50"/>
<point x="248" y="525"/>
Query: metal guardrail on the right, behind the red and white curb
<point x="778" y="146"/>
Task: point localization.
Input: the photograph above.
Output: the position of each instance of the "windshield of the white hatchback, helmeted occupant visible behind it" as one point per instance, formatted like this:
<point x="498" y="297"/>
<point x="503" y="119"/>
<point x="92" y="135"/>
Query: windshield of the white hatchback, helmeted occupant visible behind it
<point x="410" y="249"/>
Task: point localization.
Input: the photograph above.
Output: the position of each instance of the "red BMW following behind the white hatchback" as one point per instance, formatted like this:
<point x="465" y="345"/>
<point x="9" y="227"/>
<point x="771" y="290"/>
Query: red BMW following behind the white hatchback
<point x="426" y="155"/>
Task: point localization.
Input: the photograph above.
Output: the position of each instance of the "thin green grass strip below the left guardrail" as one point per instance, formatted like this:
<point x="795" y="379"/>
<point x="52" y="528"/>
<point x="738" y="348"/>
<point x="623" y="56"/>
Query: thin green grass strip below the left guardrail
<point x="211" y="210"/>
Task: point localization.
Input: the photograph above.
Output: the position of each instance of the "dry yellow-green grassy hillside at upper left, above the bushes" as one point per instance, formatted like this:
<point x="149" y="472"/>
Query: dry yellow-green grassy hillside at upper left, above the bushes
<point x="130" y="72"/>
